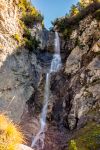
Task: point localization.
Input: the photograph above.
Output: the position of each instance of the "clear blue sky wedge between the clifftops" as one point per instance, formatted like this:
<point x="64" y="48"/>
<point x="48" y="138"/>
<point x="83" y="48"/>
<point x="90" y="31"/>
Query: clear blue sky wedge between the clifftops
<point x="52" y="9"/>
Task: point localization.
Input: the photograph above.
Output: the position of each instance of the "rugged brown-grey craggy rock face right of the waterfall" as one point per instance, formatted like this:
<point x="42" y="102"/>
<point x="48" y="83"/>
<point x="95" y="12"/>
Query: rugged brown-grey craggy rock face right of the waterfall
<point x="80" y="75"/>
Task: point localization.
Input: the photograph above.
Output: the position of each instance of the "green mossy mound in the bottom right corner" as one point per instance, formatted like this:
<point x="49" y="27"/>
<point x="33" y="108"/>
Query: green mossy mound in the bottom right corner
<point x="87" y="138"/>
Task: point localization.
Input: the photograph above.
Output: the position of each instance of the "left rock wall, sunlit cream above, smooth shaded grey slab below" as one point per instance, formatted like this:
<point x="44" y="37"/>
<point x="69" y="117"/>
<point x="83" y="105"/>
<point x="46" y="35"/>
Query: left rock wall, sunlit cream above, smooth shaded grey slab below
<point x="19" y="71"/>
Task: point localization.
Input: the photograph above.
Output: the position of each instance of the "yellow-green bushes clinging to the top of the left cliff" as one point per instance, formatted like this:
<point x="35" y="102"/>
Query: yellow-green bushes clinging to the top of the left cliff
<point x="30" y="17"/>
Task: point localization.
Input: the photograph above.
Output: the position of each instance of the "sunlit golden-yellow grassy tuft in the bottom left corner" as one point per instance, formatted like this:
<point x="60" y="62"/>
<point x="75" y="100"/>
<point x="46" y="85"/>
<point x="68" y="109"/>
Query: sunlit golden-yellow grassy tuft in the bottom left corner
<point x="9" y="134"/>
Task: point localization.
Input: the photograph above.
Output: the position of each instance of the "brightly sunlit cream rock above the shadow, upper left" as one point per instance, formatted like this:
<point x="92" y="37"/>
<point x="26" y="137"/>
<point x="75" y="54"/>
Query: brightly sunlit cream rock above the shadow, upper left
<point x="8" y="26"/>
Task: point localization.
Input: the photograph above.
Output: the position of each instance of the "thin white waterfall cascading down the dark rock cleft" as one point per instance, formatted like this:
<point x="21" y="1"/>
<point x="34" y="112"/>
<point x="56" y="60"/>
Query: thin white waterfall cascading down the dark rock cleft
<point x="38" y="141"/>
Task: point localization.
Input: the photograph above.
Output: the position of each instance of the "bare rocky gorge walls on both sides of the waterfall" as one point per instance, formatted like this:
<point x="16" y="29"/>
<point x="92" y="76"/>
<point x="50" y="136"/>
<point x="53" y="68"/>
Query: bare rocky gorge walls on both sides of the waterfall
<point x="73" y="117"/>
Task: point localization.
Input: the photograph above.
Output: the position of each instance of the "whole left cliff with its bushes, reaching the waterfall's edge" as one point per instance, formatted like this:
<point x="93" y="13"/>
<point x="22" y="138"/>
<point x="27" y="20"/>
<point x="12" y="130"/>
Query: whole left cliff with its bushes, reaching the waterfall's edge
<point x="20" y="71"/>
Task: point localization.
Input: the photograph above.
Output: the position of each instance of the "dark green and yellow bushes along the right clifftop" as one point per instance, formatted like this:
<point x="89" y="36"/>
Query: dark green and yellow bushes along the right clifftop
<point x="77" y="12"/>
